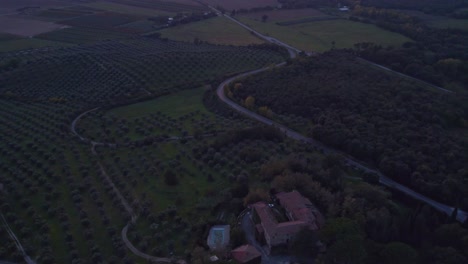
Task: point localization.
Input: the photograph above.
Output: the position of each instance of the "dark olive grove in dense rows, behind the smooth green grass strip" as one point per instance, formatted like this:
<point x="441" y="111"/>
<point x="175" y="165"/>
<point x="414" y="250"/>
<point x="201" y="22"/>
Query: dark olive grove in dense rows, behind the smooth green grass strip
<point x="112" y="70"/>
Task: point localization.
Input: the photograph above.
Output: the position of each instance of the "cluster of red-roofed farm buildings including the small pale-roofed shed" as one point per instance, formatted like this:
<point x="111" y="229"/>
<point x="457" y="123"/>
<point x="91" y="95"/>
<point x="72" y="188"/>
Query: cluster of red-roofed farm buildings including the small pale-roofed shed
<point x="276" y="225"/>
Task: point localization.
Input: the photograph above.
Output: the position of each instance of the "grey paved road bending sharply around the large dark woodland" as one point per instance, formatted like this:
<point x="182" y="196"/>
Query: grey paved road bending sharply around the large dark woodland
<point x="461" y="216"/>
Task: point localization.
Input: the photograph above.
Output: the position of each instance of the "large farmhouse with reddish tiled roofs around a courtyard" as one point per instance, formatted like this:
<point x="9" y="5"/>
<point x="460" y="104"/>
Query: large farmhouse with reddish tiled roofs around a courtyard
<point x="300" y="214"/>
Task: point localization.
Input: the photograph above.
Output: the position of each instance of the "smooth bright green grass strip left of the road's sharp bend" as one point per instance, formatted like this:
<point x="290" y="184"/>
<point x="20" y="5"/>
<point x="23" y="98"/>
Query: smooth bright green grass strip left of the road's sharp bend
<point x="174" y="105"/>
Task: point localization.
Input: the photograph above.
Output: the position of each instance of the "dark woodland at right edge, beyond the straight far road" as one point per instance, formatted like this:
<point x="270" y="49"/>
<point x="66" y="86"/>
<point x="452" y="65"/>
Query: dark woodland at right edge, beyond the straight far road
<point x="439" y="56"/>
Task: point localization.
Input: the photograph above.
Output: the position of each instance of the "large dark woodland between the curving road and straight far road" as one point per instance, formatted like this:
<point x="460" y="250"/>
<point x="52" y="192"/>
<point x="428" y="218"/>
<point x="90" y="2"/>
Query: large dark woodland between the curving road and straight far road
<point x="411" y="132"/>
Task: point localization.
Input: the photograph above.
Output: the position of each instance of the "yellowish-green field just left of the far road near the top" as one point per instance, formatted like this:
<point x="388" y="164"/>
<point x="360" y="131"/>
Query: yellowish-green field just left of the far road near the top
<point x="217" y="30"/>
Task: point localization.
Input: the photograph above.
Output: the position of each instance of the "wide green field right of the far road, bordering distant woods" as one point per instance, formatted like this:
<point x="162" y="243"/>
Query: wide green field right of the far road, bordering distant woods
<point x="318" y="36"/>
